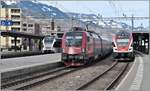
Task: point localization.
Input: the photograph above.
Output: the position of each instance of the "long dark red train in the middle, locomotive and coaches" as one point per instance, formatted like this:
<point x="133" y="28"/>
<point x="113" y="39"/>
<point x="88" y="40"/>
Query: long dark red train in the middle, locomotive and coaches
<point x="81" y="47"/>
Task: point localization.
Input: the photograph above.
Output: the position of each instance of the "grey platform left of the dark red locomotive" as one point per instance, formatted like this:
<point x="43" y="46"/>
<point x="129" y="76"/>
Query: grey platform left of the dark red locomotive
<point x="24" y="62"/>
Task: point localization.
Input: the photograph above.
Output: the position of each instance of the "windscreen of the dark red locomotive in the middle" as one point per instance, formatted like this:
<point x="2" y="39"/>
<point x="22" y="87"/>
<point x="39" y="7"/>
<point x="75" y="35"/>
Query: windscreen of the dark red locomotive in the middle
<point x="74" y="39"/>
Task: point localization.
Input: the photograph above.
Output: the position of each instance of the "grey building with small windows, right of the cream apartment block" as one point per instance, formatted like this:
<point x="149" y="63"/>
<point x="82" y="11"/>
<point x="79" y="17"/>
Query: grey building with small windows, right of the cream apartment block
<point x="29" y="26"/>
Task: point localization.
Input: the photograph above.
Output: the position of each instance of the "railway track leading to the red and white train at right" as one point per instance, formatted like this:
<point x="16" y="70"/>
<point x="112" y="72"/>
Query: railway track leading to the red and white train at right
<point x="93" y="83"/>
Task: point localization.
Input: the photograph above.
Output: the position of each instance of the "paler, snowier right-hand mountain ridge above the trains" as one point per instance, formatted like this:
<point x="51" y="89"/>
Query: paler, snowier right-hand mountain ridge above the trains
<point x="96" y="20"/>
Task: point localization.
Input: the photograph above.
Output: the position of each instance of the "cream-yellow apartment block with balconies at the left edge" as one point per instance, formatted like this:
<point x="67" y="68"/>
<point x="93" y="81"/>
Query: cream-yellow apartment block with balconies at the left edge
<point x="13" y="14"/>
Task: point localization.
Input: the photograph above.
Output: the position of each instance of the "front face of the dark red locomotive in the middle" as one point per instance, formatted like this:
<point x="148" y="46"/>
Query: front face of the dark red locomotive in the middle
<point x="73" y="44"/>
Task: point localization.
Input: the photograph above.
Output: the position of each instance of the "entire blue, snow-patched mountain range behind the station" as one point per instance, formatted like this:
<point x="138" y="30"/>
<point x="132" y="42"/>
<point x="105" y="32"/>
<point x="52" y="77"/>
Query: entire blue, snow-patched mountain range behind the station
<point x="40" y="10"/>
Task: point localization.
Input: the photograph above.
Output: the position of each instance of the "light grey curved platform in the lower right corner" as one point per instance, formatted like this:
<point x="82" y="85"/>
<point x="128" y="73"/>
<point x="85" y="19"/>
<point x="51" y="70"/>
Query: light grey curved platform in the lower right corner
<point x="138" y="77"/>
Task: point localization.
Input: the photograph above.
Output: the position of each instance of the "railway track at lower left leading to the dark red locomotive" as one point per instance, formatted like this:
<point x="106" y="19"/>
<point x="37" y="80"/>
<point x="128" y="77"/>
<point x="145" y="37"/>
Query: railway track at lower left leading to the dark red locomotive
<point x="36" y="78"/>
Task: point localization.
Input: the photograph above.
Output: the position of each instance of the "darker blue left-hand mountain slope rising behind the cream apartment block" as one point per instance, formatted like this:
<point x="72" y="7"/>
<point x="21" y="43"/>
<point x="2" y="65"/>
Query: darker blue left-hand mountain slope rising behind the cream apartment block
<point x="34" y="8"/>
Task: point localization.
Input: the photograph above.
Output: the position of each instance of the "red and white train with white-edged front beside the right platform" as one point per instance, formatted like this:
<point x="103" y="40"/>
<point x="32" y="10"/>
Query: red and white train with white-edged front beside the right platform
<point x="123" y="46"/>
